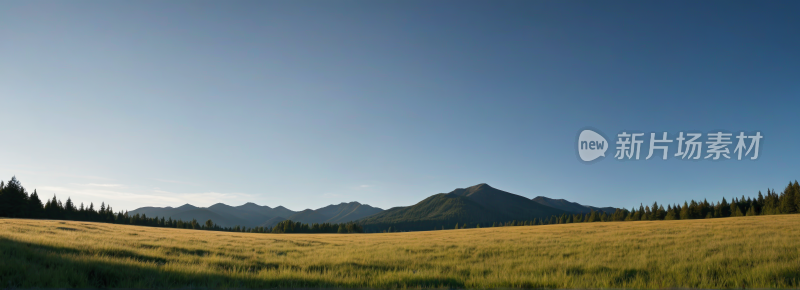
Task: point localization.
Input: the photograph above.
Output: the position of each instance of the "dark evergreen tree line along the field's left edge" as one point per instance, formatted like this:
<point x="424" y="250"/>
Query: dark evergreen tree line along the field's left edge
<point x="15" y="202"/>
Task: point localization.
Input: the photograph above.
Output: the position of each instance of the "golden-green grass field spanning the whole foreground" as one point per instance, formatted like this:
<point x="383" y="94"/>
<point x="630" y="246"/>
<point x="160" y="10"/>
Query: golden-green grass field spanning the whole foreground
<point x="743" y="252"/>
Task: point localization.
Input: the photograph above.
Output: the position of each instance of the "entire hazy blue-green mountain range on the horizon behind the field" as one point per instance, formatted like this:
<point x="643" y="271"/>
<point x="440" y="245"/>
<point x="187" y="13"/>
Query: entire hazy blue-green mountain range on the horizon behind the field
<point x="479" y="204"/>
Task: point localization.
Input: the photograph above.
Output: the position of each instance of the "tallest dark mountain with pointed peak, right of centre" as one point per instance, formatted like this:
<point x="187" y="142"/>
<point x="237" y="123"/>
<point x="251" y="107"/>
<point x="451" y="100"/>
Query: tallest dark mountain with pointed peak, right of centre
<point x="477" y="204"/>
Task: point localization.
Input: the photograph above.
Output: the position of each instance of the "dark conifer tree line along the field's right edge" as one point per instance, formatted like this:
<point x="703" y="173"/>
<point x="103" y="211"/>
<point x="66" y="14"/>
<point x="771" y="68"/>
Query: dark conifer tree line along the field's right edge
<point x="786" y="202"/>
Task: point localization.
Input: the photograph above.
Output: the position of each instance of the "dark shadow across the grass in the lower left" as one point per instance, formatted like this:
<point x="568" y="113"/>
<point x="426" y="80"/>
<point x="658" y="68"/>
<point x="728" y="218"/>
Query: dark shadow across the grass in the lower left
<point x="27" y="265"/>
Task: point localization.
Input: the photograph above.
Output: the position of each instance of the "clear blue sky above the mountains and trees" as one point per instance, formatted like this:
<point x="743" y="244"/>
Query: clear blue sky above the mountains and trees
<point x="309" y="103"/>
